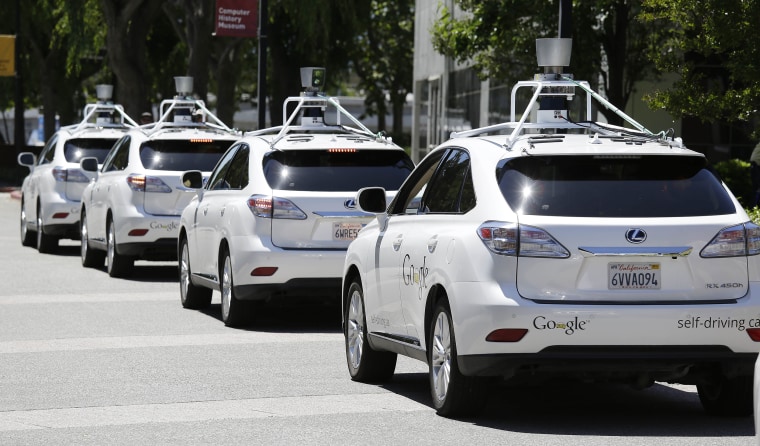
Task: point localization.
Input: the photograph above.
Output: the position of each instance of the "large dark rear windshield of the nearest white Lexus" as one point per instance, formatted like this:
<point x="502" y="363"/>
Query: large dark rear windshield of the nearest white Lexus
<point x="592" y="186"/>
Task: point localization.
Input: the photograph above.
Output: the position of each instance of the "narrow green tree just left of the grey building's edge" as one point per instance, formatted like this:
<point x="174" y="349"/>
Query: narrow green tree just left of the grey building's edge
<point x="383" y="59"/>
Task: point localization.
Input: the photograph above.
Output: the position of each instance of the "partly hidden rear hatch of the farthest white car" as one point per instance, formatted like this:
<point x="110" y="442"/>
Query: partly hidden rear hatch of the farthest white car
<point x="74" y="150"/>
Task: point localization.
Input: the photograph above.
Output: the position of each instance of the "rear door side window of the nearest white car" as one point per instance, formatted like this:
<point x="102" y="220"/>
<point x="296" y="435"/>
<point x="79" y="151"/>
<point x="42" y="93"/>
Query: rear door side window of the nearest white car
<point x="451" y="184"/>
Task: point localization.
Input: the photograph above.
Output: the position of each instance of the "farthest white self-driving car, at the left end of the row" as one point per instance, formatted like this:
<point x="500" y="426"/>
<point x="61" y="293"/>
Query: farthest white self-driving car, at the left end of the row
<point x="51" y="193"/>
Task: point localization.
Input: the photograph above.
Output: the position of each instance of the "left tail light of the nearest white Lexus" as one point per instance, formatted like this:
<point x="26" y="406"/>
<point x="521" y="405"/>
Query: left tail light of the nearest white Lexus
<point x="512" y="239"/>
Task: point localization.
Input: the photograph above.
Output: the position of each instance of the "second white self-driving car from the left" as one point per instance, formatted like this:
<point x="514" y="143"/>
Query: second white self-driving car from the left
<point x="131" y="210"/>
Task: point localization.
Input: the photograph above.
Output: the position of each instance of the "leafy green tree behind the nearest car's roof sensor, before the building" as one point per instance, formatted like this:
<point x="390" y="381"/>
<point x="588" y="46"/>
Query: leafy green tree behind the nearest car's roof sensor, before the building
<point x="498" y="38"/>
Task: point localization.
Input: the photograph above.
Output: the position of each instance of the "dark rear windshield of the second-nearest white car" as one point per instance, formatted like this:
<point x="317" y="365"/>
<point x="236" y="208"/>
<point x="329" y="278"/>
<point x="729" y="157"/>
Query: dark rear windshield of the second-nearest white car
<point x="332" y="171"/>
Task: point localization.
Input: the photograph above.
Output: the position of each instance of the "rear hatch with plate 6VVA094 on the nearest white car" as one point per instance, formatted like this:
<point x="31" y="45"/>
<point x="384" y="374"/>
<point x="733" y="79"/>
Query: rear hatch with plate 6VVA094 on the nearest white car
<point x="630" y="229"/>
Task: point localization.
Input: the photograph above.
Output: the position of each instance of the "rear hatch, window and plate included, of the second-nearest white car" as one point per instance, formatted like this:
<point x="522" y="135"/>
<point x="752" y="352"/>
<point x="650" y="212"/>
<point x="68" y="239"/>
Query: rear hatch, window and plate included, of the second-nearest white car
<point x="322" y="185"/>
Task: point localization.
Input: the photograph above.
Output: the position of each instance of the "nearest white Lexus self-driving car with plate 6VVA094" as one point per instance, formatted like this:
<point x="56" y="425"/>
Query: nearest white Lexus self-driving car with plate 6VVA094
<point x="555" y="246"/>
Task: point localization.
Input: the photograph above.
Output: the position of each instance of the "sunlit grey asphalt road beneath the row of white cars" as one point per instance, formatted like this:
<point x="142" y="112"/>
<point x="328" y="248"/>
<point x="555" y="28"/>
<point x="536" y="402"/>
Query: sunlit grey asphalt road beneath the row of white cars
<point x="87" y="359"/>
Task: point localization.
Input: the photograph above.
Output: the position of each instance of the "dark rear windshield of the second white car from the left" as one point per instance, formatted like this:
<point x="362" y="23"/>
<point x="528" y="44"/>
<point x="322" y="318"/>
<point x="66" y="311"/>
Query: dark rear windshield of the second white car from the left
<point x="181" y="155"/>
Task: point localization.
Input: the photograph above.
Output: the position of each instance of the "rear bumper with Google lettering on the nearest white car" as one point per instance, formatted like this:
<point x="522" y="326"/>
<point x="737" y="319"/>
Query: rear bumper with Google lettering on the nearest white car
<point x="668" y="341"/>
